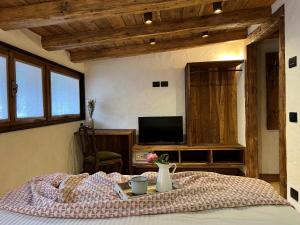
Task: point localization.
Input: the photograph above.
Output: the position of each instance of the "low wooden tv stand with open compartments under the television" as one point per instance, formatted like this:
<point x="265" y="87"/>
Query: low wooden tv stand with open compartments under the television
<point x="226" y="159"/>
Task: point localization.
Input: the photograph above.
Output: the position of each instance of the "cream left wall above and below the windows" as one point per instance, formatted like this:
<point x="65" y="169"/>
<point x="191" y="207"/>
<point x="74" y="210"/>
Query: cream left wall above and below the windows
<point x="33" y="152"/>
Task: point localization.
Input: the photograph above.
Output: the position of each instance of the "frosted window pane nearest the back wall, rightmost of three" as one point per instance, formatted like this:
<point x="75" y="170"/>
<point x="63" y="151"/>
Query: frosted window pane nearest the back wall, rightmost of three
<point x="65" y="96"/>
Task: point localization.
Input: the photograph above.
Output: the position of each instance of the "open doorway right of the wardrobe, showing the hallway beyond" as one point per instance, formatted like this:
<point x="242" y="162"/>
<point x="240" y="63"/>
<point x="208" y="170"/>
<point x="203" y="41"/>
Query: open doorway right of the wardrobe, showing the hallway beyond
<point x="268" y="110"/>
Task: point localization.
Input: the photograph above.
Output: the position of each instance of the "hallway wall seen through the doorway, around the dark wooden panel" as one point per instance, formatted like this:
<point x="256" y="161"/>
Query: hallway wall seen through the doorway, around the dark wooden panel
<point x="268" y="140"/>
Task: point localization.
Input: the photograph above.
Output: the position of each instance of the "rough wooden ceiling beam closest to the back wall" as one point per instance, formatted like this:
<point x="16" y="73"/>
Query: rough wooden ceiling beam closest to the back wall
<point x="80" y="56"/>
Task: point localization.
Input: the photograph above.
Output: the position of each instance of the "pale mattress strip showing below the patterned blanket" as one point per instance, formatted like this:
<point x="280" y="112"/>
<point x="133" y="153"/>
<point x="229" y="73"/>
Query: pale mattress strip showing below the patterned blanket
<point x="257" y="215"/>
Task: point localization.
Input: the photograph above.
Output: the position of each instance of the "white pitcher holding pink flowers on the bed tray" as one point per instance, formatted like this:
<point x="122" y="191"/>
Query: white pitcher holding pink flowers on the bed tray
<point x="164" y="182"/>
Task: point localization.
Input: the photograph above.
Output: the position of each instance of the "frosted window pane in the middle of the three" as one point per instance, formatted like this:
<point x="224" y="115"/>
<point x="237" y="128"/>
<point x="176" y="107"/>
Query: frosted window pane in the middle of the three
<point x="30" y="102"/>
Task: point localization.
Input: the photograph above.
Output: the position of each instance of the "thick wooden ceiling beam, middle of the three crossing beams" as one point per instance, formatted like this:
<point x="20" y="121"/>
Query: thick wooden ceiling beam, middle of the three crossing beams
<point x="231" y="20"/>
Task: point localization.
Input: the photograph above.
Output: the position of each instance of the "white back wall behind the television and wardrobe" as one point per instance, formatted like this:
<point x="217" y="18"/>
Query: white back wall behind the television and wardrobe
<point x="123" y="87"/>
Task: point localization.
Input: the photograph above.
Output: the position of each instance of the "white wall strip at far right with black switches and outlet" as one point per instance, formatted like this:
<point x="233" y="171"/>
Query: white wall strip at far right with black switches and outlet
<point x="292" y="48"/>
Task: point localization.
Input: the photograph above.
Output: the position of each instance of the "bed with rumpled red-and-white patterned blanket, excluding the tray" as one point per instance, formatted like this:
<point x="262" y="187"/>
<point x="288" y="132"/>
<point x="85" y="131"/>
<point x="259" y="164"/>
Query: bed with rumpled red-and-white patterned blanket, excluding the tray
<point x="206" y="198"/>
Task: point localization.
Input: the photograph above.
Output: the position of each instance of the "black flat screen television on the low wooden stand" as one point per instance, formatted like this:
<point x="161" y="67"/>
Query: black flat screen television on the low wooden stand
<point x="161" y="130"/>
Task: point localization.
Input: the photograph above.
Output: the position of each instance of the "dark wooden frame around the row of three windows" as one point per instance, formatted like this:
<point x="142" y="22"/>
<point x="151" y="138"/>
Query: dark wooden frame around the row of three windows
<point x="13" y="123"/>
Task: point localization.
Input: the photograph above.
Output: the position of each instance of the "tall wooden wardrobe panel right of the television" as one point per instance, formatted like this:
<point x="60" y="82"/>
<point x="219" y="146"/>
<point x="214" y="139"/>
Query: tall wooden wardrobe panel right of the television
<point x="211" y="102"/>
